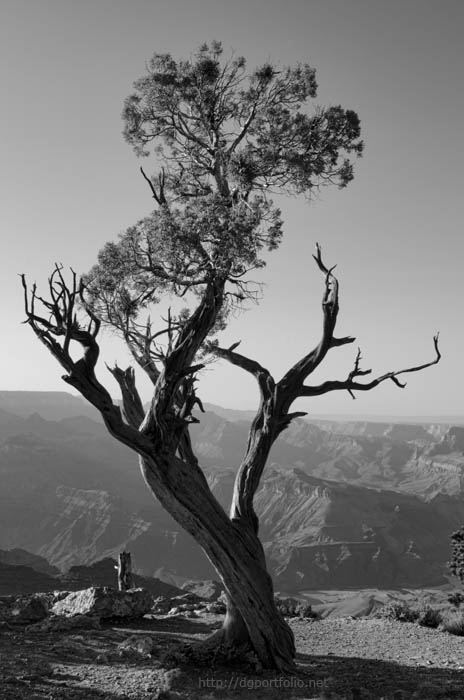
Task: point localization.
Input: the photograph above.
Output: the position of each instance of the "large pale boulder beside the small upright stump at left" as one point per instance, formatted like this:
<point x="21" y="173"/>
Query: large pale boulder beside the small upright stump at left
<point x="105" y="603"/>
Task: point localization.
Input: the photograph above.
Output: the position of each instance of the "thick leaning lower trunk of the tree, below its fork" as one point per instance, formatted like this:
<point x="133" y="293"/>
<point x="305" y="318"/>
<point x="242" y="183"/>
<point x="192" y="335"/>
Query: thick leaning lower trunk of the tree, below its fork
<point x="234" y="549"/>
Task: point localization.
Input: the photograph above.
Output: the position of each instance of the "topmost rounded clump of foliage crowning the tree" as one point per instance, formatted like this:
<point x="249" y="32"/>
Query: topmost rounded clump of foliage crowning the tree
<point x="218" y="127"/>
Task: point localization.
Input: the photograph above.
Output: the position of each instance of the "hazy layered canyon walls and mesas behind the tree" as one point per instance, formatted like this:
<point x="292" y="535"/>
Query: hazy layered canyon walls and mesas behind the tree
<point x="341" y="503"/>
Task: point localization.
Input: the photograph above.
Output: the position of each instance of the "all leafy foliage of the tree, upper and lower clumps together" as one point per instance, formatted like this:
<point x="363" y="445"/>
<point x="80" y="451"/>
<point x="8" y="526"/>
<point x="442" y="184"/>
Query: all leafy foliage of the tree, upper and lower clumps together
<point x="225" y="139"/>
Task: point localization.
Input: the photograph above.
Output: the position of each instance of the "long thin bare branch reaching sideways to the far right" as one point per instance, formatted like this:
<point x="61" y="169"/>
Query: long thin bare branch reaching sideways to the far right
<point x="350" y="384"/>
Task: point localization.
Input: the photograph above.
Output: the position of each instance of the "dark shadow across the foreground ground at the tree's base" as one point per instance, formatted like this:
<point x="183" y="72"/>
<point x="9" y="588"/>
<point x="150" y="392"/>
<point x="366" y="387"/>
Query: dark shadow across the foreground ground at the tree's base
<point x="88" y="666"/>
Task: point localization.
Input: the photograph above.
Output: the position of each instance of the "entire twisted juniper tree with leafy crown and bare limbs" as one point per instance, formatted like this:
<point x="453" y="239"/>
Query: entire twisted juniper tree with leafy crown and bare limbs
<point x="225" y="140"/>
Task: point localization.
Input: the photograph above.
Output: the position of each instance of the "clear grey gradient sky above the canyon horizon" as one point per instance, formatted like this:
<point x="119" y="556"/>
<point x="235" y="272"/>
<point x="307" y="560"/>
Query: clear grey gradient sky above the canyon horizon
<point x="69" y="182"/>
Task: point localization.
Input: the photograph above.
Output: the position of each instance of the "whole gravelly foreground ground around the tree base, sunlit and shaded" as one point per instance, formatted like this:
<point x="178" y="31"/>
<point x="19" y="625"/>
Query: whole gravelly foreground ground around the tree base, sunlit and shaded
<point x="363" y="659"/>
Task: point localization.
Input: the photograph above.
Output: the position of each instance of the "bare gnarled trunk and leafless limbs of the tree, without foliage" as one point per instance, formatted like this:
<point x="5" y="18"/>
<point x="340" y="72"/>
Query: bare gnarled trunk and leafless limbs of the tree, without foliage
<point x="161" y="438"/>
